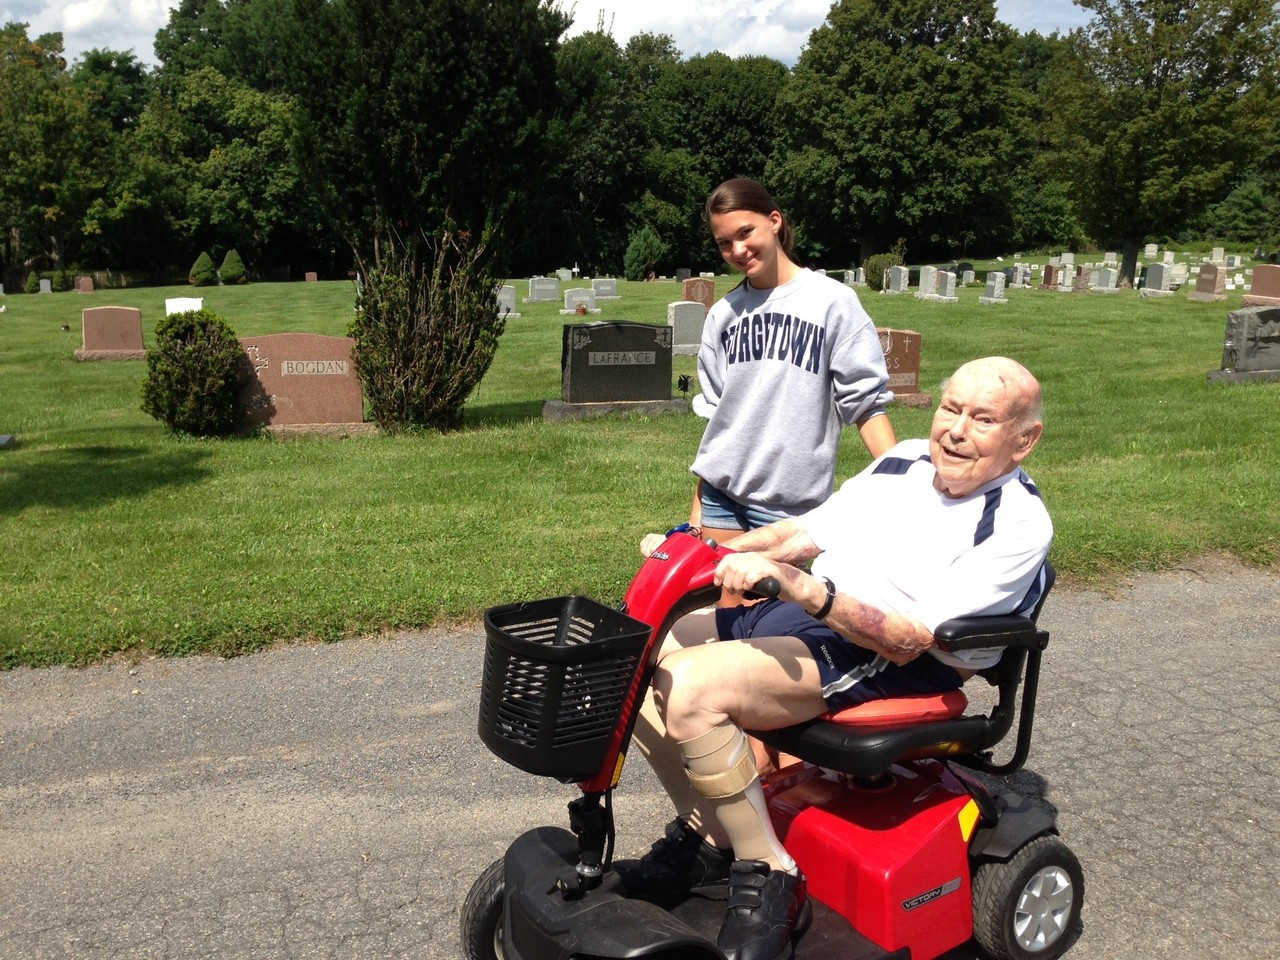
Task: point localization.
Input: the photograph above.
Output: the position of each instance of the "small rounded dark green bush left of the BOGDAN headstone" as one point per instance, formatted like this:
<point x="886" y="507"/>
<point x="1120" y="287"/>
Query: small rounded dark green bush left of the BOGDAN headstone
<point x="195" y="376"/>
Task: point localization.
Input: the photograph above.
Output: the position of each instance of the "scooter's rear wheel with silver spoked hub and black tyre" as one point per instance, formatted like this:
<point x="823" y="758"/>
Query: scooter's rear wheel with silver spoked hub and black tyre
<point x="1027" y="908"/>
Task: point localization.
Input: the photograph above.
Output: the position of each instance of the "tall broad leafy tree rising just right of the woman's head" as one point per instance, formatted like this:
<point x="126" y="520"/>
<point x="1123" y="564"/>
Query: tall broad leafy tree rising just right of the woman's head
<point x="898" y="125"/>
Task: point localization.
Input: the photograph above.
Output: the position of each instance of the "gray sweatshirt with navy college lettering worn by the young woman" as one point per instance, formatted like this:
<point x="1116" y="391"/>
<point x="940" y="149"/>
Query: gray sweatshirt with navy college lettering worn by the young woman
<point x="783" y="372"/>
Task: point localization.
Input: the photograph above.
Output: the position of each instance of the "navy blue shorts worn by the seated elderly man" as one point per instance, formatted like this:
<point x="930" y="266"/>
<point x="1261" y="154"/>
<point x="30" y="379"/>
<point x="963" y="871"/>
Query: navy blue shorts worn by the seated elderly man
<point x="851" y="674"/>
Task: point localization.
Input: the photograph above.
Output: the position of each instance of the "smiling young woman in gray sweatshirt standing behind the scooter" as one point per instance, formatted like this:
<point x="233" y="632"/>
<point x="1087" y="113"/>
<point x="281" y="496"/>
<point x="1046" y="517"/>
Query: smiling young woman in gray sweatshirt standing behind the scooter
<point x="788" y="359"/>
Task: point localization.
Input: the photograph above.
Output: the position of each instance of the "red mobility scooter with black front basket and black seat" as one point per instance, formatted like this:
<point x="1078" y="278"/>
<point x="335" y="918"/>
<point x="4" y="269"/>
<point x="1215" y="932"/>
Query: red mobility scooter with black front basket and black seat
<point x="907" y="854"/>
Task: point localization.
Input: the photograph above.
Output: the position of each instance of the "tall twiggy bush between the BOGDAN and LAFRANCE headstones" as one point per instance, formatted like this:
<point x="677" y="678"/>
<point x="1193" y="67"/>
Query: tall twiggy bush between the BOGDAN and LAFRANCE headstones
<point x="427" y="330"/>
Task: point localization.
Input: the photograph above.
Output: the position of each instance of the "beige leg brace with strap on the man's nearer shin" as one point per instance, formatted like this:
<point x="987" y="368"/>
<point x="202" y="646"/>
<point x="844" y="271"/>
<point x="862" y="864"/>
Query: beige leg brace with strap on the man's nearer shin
<point x="721" y="767"/>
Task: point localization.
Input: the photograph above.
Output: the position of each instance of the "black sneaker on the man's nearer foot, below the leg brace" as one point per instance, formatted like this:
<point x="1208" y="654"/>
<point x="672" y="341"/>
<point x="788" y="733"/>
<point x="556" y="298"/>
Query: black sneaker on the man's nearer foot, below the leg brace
<point x="767" y="911"/>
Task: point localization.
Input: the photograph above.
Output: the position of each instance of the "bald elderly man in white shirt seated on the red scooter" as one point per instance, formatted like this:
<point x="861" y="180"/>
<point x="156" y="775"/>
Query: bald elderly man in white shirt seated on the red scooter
<point x="934" y="529"/>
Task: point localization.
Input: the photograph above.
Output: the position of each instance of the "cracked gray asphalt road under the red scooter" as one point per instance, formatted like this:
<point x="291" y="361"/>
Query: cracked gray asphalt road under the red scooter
<point x="335" y="802"/>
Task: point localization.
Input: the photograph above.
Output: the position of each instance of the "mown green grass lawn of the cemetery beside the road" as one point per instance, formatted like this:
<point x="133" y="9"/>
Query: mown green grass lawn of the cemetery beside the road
<point x="121" y="538"/>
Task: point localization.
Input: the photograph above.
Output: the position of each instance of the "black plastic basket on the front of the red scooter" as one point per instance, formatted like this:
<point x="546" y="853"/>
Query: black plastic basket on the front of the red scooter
<point x="556" y="678"/>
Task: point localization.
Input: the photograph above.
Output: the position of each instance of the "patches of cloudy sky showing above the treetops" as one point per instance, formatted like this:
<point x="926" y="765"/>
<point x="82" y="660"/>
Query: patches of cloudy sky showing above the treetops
<point x="778" y="29"/>
